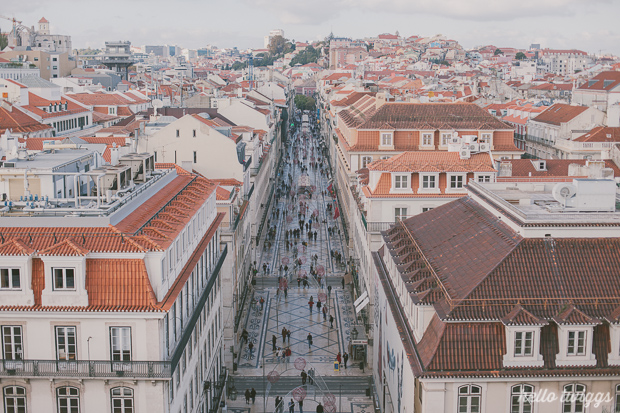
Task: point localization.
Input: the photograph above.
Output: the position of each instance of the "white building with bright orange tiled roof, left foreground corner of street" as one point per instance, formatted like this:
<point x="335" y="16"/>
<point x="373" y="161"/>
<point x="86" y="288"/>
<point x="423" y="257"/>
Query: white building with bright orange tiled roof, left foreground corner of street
<point x="110" y="286"/>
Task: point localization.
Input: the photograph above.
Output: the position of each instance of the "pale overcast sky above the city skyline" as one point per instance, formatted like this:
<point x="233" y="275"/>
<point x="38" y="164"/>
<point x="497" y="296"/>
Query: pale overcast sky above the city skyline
<point x="589" y="25"/>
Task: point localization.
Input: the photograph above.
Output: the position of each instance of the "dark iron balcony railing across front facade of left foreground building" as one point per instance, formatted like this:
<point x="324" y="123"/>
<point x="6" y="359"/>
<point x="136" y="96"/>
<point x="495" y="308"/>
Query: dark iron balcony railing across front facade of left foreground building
<point x="86" y="368"/>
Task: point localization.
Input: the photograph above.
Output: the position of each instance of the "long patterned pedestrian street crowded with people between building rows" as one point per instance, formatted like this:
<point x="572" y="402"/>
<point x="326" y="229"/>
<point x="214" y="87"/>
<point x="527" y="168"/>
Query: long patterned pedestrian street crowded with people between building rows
<point x="304" y="204"/>
